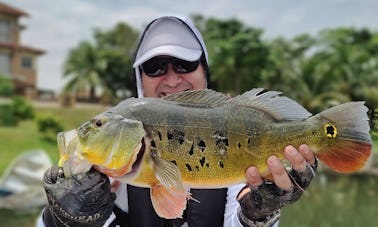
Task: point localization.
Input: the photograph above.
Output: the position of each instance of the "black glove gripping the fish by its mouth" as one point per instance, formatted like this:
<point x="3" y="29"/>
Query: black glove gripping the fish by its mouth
<point x="81" y="200"/>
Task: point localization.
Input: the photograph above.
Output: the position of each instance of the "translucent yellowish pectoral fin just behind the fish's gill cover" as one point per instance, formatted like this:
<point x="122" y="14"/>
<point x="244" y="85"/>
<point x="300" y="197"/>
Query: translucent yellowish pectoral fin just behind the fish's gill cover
<point x="167" y="173"/>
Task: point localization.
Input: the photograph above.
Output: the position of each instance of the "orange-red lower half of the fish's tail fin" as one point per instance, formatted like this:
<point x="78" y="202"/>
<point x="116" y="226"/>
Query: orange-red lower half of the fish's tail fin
<point x="346" y="156"/>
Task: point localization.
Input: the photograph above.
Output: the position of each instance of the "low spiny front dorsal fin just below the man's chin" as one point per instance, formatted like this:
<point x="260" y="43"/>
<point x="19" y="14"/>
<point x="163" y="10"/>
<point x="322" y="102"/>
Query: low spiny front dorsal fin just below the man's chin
<point x="198" y="98"/>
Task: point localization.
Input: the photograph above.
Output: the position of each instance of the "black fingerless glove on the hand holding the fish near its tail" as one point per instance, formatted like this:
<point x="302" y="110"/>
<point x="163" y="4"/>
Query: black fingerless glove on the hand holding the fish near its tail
<point x="264" y="201"/>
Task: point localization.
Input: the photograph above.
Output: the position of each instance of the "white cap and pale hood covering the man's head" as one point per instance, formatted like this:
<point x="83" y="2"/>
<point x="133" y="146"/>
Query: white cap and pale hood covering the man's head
<point x="172" y="36"/>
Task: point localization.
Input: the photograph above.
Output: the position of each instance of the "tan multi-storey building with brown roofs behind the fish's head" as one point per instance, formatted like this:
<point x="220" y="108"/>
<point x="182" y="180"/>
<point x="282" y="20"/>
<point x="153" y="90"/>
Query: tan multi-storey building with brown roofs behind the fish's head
<point x="17" y="61"/>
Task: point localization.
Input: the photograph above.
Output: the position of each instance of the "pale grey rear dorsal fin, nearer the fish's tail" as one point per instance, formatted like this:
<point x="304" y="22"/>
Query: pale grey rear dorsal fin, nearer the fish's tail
<point x="279" y="107"/>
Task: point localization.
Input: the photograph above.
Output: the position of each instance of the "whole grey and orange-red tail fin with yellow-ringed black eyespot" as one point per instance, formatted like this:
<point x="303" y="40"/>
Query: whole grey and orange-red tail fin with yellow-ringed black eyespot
<point x="347" y="133"/>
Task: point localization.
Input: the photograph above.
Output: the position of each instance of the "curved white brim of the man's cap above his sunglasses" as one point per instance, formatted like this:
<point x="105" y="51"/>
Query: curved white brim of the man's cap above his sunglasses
<point x="174" y="51"/>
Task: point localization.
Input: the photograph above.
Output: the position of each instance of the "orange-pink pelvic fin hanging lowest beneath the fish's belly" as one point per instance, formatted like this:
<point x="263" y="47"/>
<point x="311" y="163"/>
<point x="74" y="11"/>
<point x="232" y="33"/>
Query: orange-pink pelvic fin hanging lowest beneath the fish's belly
<point x="168" y="203"/>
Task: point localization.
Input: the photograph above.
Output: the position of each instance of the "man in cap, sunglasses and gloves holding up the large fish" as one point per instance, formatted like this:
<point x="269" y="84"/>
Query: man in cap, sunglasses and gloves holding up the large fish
<point x="171" y="57"/>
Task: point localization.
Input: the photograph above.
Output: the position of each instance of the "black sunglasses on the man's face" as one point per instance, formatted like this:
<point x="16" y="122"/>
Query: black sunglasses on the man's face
<point x="158" y="66"/>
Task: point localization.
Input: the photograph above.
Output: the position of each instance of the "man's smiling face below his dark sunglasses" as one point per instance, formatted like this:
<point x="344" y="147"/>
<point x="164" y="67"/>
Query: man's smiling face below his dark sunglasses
<point x="173" y="82"/>
